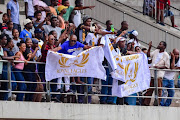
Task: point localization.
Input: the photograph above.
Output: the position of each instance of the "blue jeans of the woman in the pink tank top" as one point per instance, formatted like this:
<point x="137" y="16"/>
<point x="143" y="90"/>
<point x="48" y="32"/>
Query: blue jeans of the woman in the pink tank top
<point x="21" y="86"/>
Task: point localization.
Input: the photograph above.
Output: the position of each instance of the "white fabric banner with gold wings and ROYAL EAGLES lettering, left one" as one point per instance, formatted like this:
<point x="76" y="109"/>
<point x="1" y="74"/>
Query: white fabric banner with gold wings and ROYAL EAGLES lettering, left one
<point x="86" y="64"/>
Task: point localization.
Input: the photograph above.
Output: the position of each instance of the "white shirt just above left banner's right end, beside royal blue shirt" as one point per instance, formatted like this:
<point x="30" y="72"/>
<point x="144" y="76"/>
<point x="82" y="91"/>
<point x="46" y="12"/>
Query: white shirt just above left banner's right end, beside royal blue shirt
<point x="91" y="39"/>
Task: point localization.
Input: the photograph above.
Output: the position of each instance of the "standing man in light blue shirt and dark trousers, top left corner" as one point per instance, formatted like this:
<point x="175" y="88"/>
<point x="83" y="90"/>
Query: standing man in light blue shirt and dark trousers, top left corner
<point x="13" y="13"/>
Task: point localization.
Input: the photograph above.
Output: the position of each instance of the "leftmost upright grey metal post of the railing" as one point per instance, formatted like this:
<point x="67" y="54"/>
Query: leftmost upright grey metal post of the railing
<point x="9" y="81"/>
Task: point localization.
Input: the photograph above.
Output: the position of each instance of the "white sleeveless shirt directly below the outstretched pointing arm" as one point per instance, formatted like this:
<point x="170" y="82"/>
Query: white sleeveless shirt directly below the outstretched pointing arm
<point x="77" y="18"/>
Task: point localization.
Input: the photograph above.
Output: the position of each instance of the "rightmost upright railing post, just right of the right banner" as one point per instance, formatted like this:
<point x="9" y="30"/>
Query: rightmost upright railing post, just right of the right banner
<point x="156" y="101"/>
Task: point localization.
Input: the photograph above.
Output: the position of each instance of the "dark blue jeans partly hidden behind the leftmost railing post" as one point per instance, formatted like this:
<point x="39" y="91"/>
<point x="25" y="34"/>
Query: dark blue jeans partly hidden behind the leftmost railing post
<point x="5" y="84"/>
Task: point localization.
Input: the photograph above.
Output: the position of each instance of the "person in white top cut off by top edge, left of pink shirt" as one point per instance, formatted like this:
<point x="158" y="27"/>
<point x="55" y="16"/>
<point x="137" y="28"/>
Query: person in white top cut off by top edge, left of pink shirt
<point x="29" y="9"/>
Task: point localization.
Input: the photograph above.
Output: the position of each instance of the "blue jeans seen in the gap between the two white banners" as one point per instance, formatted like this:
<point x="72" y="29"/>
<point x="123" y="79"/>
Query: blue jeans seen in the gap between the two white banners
<point x="107" y="90"/>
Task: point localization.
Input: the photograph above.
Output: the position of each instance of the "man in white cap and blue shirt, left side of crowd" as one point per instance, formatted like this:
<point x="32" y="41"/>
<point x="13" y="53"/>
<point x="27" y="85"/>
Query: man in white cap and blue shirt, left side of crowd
<point x="26" y="32"/>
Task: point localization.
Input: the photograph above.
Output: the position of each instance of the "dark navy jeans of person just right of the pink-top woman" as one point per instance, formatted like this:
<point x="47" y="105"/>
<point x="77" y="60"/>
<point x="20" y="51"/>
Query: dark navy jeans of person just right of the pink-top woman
<point x="30" y="77"/>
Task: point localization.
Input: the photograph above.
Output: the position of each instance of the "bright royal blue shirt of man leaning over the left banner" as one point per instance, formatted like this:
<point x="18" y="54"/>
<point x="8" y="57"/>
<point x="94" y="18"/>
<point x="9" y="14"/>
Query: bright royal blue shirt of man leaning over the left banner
<point x="67" y="49"/>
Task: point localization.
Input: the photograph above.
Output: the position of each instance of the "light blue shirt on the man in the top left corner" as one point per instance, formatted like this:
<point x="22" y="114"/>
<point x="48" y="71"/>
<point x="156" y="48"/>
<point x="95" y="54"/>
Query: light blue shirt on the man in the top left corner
<point x="14" y="7"/>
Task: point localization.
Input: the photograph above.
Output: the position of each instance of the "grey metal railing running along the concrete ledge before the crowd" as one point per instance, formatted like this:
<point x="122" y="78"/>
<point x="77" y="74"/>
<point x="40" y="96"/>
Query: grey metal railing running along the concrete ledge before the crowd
<point x="48" y="93"/>
